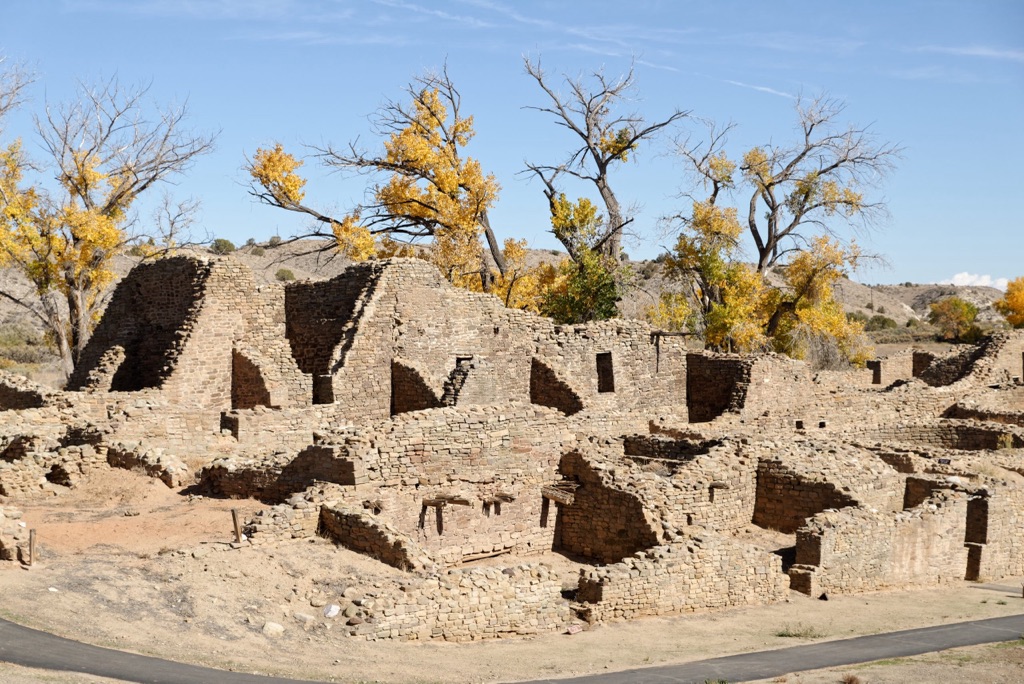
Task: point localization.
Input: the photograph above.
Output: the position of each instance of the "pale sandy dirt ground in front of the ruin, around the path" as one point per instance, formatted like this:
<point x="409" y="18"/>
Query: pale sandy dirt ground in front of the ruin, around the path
<point x="127" y="564"/>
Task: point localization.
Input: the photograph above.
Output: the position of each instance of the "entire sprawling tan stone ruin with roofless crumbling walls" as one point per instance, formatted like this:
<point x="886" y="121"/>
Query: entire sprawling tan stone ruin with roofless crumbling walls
<point x="441" y="434"/>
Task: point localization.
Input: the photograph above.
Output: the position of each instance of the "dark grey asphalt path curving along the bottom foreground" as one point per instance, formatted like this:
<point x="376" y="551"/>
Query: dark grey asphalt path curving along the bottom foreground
<point x="32" y="649"/>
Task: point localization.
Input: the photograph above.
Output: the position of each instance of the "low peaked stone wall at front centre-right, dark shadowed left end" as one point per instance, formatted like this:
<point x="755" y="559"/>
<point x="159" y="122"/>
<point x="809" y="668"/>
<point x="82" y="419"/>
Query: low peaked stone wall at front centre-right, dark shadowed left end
<point x="698" y="574"/>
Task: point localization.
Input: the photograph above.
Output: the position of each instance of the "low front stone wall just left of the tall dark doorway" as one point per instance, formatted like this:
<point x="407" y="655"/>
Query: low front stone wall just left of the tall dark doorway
<point x="859" y="549"/>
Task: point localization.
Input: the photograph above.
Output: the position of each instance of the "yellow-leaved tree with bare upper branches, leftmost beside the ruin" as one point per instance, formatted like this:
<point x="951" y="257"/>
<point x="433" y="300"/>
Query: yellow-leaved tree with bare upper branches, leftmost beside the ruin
<point x="103" y="153"/>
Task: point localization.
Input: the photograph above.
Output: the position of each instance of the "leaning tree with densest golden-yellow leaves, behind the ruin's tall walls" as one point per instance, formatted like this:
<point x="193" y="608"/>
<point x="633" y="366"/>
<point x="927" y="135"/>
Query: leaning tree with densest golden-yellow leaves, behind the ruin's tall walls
<point x="426" y="190"/>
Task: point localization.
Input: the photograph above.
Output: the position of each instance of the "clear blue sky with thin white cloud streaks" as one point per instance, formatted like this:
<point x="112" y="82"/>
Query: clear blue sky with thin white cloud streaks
<point x="943" y="78"/>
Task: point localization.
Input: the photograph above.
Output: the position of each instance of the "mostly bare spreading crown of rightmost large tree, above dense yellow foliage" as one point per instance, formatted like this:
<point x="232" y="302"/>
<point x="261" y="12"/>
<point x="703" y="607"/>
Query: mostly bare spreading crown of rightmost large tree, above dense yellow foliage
<point x="804" y="185"/>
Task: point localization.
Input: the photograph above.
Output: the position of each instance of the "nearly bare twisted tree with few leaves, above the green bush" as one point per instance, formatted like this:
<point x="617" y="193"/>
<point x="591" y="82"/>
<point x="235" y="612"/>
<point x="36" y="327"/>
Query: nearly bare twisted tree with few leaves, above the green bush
<point x="605" y="140"/>
